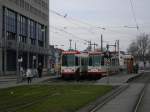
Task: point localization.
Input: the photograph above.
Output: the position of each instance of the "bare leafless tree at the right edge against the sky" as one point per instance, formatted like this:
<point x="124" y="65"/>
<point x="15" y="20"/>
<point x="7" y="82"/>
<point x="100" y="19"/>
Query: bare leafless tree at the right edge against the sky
<point x="140" y="47"/>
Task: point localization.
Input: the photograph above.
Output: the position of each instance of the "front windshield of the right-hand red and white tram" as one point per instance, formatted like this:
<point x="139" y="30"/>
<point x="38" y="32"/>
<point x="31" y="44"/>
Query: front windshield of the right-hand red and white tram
<point x="94" y="60"/>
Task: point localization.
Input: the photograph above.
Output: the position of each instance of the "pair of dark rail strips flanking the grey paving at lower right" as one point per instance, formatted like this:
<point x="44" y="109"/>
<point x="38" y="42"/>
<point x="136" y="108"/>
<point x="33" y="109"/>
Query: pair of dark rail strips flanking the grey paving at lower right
<point x="144" y="79"/>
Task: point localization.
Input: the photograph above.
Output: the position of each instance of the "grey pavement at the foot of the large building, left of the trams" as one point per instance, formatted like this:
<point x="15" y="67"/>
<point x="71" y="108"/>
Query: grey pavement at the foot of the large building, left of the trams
<point x="10" y="81"/>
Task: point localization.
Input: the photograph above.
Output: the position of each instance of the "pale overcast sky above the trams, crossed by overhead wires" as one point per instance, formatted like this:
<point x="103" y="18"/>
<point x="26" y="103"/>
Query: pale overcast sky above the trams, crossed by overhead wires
<point x="85" y="17"/>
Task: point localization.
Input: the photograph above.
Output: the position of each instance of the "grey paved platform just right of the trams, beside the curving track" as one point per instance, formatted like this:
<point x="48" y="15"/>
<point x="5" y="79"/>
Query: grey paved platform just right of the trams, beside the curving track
<point x="118" y="79"/>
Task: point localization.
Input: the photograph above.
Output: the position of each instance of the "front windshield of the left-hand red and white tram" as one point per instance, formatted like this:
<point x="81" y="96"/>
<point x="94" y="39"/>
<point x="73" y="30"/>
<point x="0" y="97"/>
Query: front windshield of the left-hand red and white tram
<point x="68" y="60"/>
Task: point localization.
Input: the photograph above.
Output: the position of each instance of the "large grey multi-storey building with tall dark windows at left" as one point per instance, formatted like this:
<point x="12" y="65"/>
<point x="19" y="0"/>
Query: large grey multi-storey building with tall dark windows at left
<point x="24" y="26"/>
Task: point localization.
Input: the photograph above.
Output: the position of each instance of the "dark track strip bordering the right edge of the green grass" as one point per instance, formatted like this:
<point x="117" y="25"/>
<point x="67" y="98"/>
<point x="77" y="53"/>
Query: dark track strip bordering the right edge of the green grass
<point x="101" y="101"/>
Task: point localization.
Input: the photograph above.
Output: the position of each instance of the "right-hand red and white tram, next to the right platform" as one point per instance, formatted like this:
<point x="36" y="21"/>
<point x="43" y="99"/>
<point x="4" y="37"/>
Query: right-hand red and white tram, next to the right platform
<point x="102" y="63"/>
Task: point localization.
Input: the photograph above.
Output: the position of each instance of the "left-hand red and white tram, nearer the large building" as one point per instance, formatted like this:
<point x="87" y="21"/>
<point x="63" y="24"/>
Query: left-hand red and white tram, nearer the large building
<point x="74" y="64"/>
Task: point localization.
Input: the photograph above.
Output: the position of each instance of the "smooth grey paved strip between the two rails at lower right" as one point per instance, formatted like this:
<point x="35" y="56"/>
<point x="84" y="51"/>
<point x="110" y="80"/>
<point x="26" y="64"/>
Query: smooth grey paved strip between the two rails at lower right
<point x="124" y="102"/>
